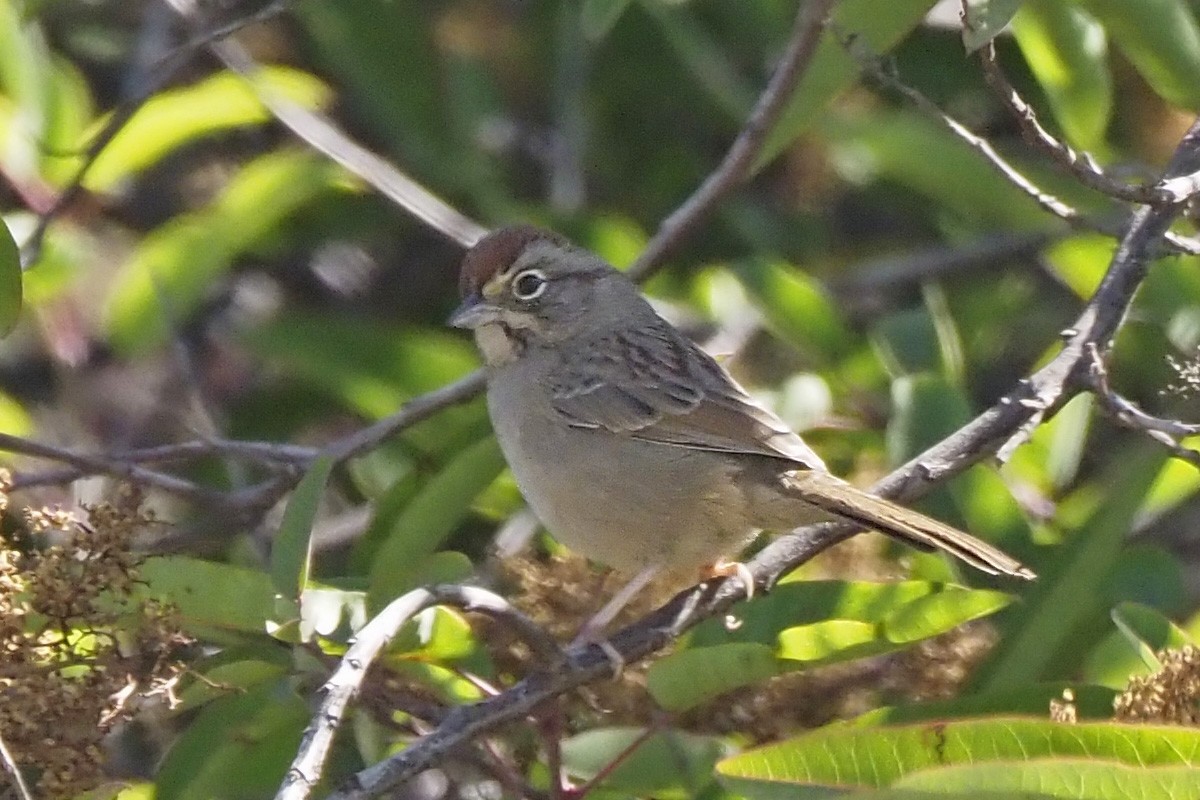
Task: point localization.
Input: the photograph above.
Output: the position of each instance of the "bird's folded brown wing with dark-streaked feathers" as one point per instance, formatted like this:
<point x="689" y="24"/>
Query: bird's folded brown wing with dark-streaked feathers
<point x="656" y="386"/>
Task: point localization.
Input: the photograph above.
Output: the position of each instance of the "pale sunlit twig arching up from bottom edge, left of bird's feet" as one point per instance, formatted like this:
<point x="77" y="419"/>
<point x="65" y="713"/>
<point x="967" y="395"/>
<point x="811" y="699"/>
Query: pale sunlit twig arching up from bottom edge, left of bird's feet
<point x="369" y="643"/>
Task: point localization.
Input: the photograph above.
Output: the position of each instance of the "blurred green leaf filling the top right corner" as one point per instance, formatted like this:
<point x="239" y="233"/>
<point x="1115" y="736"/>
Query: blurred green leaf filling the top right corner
<point x="1162" y="40"/>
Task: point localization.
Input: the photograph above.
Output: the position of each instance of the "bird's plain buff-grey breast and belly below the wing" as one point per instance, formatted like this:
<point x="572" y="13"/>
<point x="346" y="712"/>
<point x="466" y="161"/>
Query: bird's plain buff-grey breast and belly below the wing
<point x="610" y="497"/>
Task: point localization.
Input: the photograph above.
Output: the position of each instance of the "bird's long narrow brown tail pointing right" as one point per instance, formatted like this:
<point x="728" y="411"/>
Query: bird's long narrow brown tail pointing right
<point x="842" y="500"/>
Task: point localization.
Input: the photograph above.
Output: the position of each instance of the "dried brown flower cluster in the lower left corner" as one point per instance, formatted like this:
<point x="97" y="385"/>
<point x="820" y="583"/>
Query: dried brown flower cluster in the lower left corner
<point x="77" y="647"/>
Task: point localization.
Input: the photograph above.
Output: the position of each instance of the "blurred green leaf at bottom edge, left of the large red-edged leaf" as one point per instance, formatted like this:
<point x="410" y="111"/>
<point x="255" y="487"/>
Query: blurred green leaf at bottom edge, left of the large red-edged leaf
<point x="668" y="762"/>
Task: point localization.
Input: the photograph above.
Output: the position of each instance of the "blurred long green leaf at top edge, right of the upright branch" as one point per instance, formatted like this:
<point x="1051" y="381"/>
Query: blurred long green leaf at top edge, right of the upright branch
<point x="874" y="26"/>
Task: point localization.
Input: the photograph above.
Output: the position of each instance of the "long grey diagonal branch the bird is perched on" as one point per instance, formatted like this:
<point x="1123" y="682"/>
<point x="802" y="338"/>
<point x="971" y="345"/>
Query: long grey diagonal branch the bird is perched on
<point x="989" y="434"/>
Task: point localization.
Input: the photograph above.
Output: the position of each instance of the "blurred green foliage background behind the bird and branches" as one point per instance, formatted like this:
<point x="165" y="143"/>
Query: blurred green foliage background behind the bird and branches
<point x="878" y="284"/>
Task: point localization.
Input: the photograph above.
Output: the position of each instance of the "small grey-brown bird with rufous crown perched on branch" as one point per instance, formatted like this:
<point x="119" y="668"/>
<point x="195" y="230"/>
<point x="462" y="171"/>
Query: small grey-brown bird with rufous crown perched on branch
<point x="635" y="448"/>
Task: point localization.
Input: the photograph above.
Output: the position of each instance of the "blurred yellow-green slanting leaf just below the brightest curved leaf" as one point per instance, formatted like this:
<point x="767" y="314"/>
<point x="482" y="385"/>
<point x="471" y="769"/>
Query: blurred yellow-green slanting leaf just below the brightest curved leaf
<point x="178" y="264"/>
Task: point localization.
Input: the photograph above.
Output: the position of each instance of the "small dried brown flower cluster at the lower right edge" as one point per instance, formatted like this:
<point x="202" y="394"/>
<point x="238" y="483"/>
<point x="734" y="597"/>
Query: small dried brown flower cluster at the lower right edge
<point x="1171" y="695"/>
